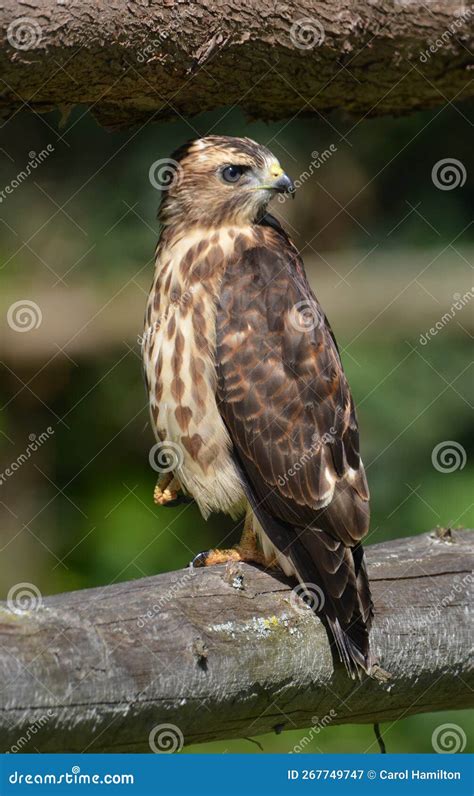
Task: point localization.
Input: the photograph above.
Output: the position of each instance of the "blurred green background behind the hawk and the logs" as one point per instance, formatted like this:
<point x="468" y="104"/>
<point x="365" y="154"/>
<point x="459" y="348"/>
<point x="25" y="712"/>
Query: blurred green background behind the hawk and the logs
<point x="387" y="252"/>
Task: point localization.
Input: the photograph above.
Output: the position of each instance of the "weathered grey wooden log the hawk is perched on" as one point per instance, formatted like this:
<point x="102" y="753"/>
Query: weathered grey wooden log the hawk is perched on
<point x="228" y="652"/>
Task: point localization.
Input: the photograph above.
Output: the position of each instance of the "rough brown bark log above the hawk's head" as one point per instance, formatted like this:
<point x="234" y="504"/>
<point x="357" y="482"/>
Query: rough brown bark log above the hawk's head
<point x="130" y="61"/>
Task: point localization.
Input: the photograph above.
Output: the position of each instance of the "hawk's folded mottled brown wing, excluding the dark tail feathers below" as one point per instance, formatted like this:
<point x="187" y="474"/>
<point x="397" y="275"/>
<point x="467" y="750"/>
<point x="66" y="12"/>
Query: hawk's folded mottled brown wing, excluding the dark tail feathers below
<point x="283" y="393"/>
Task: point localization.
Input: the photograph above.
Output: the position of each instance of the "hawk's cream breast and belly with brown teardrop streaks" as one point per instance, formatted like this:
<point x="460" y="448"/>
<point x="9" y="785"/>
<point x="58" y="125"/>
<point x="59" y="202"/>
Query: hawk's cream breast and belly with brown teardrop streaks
<point x="179" y="356"/>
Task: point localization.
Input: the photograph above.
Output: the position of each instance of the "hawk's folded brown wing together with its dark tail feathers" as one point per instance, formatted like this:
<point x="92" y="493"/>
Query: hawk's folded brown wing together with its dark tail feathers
<point x="285" y="400"/>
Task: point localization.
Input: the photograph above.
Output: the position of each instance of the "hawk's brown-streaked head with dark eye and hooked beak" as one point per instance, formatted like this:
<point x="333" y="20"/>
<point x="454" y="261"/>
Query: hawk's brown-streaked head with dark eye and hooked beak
<point x="219" y="180"/>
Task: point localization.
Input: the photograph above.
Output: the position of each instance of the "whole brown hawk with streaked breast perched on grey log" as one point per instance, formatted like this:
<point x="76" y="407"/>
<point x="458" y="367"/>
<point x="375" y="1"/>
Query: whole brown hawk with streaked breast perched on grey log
<point x="246" y="386"/>
